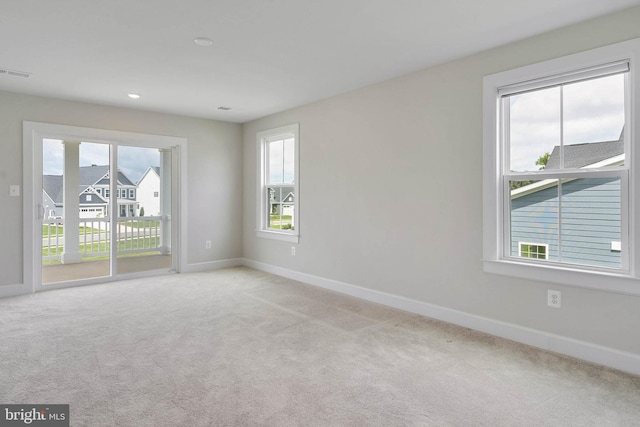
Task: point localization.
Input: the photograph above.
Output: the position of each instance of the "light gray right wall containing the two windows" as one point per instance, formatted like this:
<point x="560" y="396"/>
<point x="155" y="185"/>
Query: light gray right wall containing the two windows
<point x="391" y="193"/>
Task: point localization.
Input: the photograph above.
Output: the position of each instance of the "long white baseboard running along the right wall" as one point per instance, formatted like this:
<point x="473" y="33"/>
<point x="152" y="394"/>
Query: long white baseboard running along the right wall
<point x="624" y="361"/>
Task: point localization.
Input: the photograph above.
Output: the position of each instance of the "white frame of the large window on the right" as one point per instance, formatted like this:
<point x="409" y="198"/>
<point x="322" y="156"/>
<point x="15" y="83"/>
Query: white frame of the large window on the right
<point x="495" y="259"/>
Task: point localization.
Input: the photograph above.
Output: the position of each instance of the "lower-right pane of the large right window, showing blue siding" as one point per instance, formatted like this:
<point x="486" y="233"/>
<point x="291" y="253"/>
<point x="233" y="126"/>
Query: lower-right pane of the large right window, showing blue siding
<point x="591" y="222"/>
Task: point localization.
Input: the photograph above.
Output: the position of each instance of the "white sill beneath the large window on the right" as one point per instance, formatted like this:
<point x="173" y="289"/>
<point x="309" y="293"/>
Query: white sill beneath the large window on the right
<point x="615" y="282"/>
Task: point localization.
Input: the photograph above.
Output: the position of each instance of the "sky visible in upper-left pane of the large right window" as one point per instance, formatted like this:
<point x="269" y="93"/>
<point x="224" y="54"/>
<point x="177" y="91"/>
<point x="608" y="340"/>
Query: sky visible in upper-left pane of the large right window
<point x="534" y="127"/>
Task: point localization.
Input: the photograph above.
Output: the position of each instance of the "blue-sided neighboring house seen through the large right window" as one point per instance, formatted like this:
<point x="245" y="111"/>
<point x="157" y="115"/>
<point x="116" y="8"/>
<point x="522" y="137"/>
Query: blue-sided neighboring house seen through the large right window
<point x="589" y="231"/>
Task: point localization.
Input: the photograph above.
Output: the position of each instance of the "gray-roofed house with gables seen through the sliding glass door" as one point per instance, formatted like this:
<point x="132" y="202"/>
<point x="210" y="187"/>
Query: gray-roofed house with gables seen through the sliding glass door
<point x="93" y="193"/>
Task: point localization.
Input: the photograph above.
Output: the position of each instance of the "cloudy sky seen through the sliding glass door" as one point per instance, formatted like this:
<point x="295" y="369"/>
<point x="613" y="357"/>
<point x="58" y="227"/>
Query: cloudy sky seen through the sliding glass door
<point x="133" y="161"/>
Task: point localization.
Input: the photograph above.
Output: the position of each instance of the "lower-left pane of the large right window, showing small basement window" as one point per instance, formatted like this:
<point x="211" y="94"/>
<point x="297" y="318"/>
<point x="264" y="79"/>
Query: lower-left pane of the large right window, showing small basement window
<point x="534" y="219"/>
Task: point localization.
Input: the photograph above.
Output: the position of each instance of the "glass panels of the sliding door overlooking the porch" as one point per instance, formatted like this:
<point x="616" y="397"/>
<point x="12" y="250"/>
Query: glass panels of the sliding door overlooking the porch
<point x="105" y="210"/>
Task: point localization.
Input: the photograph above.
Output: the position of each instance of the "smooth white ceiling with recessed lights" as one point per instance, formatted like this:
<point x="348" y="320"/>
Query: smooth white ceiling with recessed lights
<point x="267" y="55"/>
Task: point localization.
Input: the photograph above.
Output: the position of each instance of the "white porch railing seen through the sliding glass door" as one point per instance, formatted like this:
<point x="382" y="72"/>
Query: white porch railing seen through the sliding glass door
<point x="134" y="235"/>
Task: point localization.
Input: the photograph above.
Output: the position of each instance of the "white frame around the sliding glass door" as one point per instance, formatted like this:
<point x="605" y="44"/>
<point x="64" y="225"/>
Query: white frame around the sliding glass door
<point x="33" y="135"/>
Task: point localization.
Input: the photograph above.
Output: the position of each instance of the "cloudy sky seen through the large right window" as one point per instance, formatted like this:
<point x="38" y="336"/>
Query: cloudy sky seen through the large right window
<point x="592" y="111"/>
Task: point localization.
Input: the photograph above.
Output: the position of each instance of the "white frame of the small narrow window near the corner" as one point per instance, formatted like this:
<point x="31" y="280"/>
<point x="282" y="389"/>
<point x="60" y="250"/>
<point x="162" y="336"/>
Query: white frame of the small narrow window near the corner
<point x="263" y="138"/>
